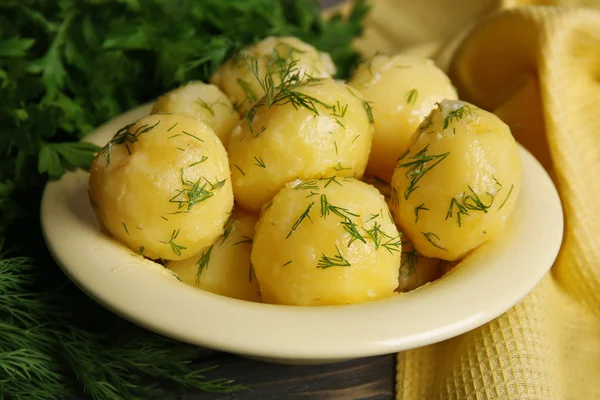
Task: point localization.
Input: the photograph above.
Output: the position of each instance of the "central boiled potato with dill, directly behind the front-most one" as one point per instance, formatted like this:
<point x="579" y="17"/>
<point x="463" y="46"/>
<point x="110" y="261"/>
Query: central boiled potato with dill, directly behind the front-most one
<point x="288" y="141"/>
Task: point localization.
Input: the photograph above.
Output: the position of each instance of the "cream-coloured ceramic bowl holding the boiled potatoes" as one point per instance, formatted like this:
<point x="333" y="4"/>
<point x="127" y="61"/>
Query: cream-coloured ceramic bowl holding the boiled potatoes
<point x="484" y="285"/>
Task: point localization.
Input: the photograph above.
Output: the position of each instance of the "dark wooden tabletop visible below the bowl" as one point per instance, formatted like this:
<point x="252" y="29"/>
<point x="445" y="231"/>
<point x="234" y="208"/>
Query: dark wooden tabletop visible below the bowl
<point x="365" y="379"/>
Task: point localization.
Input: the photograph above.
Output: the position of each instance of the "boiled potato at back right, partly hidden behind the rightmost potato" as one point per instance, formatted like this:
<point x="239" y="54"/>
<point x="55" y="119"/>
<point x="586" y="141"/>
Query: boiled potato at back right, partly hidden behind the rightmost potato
<point x="404" y="90"/>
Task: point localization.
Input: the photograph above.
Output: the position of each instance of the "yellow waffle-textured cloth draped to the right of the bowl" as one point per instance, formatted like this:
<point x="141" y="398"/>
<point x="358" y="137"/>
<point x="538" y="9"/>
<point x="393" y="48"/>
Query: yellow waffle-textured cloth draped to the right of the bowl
<point x="538" y="67"/>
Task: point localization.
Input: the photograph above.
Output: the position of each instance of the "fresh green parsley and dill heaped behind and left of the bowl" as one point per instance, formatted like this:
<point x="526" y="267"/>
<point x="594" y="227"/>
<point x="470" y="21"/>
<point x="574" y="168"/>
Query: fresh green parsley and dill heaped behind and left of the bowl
<point x="67" y="66"/>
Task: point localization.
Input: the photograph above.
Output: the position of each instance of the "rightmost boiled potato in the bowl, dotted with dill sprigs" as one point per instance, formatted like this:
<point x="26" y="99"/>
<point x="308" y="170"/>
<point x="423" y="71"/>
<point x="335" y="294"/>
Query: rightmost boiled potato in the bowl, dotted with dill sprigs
<point x="458" y="182"/>
